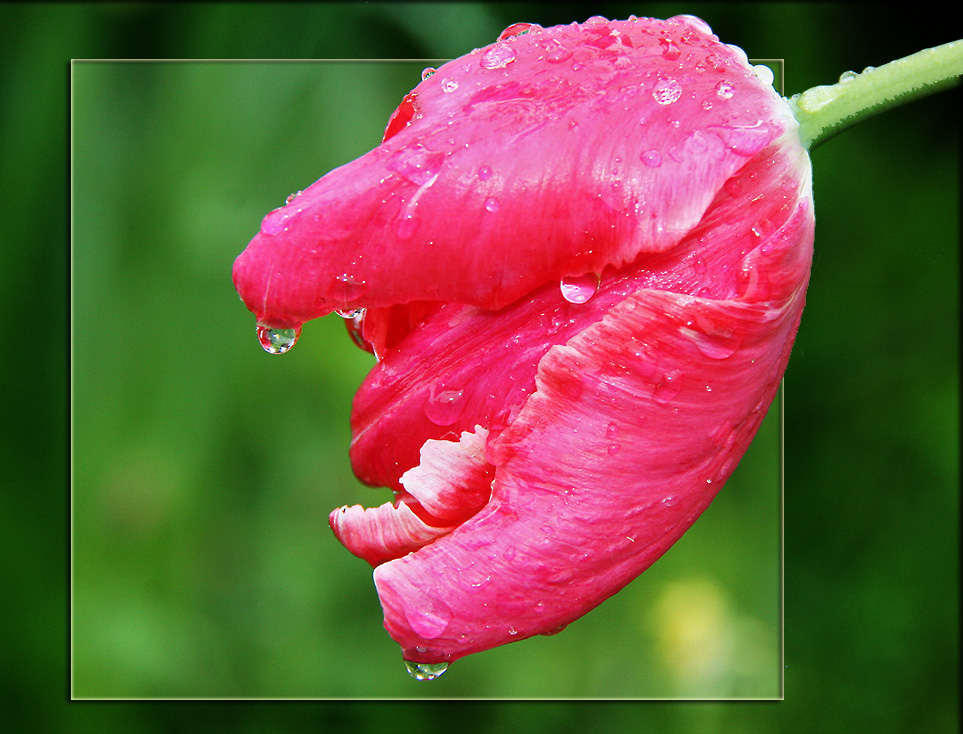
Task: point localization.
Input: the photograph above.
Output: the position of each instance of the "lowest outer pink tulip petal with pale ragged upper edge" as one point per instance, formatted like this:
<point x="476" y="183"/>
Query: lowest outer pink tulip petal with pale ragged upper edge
<point x="630" y="434"/>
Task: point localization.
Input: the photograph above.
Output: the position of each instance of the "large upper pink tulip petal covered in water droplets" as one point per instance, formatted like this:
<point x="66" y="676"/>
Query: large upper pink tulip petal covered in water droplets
<point x="606" y="164"/>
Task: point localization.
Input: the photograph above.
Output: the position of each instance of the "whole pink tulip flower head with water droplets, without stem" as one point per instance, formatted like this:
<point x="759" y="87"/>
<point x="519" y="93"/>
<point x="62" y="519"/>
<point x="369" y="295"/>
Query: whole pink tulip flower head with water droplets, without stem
<point x="583" y="253"/>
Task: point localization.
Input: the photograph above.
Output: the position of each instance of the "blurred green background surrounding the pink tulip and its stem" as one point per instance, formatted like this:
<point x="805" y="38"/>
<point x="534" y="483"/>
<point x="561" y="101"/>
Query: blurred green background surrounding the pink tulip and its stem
<point x="192" y="516"/>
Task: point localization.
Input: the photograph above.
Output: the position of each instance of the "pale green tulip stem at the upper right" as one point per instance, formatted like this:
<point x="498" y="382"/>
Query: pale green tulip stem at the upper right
<point x="827" y="110"/>
